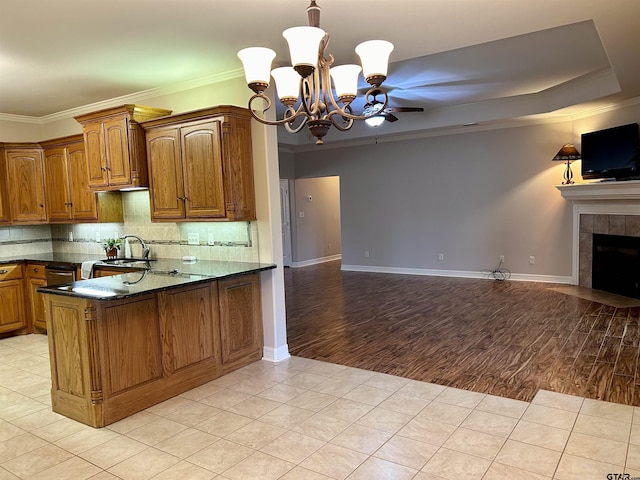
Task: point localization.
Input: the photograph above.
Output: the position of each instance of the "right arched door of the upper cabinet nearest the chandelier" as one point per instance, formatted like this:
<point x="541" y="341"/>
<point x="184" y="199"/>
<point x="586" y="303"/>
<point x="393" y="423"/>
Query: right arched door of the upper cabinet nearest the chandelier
<point x="202" y="168"/>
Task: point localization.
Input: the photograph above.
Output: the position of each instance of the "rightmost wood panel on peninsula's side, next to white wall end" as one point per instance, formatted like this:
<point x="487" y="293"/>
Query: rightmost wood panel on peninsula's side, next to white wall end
<point x="240" y="319"/>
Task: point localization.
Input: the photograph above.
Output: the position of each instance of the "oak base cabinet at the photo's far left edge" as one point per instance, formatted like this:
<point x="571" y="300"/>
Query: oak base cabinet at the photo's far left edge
<point x="12" y="305"/>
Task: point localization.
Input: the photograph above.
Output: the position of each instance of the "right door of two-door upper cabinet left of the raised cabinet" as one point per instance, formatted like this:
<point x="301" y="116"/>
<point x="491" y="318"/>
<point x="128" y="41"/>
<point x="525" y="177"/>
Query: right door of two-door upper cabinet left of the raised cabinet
<point x="83" y="201"/>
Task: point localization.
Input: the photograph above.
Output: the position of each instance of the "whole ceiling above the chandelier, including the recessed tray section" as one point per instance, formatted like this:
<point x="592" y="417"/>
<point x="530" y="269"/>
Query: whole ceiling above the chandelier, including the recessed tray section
<point x="464" y="61"/>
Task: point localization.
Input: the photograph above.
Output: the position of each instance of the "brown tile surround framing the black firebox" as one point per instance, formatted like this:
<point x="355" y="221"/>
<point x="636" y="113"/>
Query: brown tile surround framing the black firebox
<point x="625" y="225"/>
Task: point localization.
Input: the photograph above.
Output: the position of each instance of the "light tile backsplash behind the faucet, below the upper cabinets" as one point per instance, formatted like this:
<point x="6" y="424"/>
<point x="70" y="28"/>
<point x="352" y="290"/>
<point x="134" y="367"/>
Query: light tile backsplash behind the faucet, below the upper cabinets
<point x="226" y="241"/>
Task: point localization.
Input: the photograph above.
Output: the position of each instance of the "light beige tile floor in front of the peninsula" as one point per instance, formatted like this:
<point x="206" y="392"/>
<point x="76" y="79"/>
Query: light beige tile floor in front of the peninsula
<point x="308" y="420"/>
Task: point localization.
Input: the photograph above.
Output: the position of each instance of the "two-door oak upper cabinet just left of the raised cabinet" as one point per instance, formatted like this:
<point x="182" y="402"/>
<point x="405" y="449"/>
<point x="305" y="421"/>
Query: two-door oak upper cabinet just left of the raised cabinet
<point x="66" y="184"/>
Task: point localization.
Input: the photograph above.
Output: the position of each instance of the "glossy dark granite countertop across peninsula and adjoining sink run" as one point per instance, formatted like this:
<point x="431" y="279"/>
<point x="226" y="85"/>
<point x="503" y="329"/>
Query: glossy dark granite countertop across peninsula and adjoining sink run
<point x="161" y="274"/>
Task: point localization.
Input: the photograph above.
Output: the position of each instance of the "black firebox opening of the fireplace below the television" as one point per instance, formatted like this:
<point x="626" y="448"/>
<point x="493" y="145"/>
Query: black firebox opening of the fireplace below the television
<point x="616" y="264"/>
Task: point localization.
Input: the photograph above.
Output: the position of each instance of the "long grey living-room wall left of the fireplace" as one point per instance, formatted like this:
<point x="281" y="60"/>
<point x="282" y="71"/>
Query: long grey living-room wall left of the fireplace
<point x="471" y="196"/>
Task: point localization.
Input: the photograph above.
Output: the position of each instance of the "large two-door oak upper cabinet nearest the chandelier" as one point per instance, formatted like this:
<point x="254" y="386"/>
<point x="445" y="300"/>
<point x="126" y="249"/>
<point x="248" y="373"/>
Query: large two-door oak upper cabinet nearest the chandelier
<point x="201" y="166"/>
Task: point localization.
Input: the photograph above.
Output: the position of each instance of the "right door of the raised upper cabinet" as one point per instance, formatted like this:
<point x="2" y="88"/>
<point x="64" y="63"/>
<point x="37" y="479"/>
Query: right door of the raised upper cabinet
<point x="116" y="142"/>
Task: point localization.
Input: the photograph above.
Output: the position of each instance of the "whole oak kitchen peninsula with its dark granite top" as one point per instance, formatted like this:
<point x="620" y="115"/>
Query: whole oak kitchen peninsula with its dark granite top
<point x="120" y="344"/>
